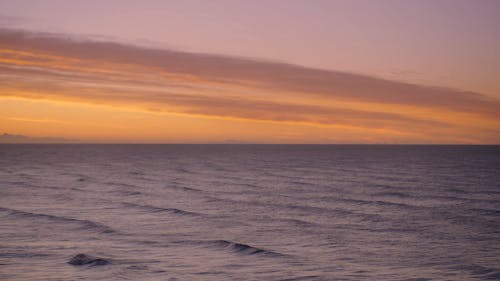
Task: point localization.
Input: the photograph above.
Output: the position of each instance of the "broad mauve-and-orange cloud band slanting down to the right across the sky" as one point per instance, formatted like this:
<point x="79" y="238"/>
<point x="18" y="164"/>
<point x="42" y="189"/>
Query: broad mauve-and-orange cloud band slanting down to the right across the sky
<point x="42" y="65"/>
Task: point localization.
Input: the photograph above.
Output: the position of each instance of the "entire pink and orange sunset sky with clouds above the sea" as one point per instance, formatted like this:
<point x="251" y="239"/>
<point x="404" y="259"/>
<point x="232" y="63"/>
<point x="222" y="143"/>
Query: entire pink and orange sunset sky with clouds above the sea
<point x="251" y="71"/>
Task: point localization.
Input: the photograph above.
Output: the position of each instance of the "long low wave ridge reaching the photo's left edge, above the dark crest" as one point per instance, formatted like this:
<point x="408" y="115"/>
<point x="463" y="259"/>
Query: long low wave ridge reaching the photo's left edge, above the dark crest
<point x="86" y="224"/>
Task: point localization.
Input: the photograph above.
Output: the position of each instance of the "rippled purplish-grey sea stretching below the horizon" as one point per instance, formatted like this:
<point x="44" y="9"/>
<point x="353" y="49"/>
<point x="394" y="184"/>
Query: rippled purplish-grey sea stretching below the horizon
<point x="250" y="212"/>
